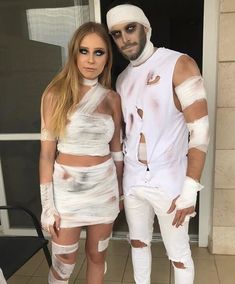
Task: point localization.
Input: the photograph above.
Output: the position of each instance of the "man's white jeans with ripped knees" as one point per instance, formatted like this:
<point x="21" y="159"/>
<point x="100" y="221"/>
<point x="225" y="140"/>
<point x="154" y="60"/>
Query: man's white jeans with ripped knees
<point x="140" y="208"/>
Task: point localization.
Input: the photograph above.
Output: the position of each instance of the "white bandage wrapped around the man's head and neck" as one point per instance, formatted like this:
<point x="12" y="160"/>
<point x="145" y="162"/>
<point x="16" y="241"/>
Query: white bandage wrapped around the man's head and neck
<point x="127" y="13"/>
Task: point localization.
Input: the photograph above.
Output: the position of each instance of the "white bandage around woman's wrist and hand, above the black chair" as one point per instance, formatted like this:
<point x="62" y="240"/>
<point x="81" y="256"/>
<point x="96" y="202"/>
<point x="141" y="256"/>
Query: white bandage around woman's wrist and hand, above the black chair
<point x="48" y="206"/>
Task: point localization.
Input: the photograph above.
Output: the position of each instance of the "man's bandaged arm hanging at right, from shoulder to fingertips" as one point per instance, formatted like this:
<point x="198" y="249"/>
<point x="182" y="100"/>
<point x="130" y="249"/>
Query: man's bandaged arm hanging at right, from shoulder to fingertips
<point x="190" y="92"/>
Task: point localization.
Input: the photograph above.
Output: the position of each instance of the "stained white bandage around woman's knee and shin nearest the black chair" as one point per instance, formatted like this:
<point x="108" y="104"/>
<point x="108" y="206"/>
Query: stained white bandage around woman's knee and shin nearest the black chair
<point x="64" y="270"/>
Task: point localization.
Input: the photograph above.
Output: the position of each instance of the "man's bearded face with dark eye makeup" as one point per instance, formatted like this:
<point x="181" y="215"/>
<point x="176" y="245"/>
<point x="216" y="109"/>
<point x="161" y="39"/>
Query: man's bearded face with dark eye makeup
<point x="130" y="39"/>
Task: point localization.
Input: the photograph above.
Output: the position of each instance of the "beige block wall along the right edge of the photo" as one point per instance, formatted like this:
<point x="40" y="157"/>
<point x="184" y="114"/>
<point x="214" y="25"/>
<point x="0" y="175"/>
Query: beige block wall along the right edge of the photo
<point x="223" y="226"/>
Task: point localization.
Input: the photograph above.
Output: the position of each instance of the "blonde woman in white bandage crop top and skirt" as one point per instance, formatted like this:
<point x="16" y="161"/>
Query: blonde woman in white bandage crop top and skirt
<point x="79" y="183"/>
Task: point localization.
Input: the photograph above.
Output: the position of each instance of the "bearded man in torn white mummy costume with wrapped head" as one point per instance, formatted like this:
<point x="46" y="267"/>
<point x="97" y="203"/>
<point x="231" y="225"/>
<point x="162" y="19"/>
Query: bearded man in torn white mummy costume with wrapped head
<point x="163" y="103"/>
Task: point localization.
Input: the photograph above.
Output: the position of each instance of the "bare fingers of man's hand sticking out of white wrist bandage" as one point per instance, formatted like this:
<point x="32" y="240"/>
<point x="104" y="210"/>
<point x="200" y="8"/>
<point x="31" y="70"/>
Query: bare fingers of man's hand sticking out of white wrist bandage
<point x="181" y="214"/>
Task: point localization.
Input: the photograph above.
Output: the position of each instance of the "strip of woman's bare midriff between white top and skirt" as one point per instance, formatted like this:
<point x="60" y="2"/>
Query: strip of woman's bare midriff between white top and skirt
<point x="81" y="161"/>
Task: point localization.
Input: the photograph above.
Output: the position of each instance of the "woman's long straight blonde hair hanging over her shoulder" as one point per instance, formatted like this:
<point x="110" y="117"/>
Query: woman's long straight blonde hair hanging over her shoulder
<point x="65" y="86"/>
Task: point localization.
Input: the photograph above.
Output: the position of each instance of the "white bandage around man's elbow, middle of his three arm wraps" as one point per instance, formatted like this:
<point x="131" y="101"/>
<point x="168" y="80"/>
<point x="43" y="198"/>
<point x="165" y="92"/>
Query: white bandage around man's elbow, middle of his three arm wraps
<point x="199" y="134"/>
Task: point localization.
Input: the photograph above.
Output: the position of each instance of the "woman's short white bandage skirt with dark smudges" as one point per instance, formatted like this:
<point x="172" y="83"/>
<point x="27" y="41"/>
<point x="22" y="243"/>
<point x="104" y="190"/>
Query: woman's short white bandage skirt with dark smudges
<point x="86" y="195"/>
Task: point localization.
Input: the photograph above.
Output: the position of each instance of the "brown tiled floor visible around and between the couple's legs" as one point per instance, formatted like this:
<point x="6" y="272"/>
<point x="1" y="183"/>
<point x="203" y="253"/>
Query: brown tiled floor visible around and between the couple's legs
<point x="210" y="269"/>
